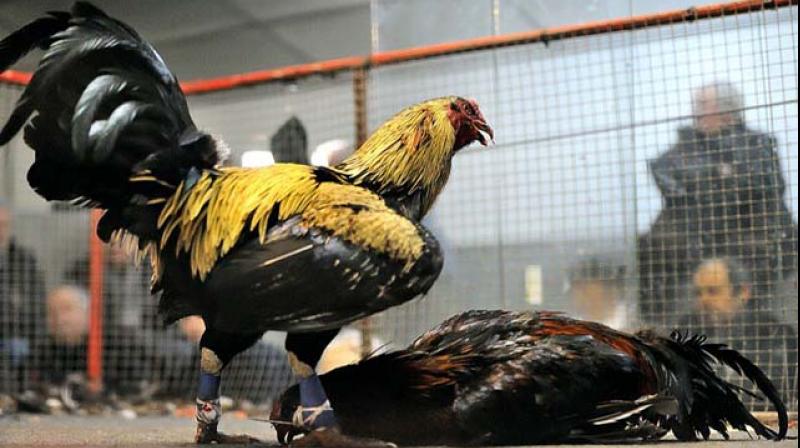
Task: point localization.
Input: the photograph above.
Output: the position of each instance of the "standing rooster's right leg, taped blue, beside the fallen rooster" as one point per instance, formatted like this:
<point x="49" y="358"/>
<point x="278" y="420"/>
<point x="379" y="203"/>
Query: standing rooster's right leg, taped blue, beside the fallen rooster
<point x="305" y="350"/>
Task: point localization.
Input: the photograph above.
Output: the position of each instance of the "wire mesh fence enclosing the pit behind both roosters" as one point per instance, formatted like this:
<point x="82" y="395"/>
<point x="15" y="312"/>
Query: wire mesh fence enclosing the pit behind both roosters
<point x="641" y="177"/>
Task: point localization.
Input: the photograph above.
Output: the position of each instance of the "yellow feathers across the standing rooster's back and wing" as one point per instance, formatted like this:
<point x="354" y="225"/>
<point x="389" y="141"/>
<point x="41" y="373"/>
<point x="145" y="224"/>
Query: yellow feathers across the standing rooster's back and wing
<point x="208" y="221"/>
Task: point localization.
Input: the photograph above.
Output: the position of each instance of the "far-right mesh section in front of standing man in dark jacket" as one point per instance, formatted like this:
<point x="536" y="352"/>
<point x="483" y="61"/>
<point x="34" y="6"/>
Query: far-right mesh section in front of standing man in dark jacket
<point x="716" y="194"/>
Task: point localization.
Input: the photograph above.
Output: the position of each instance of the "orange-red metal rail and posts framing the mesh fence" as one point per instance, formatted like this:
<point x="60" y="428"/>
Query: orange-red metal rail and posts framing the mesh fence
<point x="361" y="67"/>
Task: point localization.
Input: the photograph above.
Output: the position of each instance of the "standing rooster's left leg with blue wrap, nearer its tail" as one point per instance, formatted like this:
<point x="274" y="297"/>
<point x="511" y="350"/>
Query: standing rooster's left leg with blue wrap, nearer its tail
<point x="216" y="351"/>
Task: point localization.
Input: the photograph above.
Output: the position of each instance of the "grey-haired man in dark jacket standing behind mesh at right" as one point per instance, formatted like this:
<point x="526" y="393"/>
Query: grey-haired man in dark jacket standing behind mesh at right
<point x="723" y="196"/>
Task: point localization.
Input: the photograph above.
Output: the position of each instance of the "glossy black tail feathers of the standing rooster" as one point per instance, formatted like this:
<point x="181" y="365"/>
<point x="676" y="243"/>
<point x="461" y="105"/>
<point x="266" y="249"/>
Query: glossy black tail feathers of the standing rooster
<point x="100" y="108"/>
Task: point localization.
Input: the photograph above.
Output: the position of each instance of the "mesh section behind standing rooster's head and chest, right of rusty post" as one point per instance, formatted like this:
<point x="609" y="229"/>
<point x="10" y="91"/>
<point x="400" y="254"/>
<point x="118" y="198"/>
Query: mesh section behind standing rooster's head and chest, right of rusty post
<point x="466" y="216"/>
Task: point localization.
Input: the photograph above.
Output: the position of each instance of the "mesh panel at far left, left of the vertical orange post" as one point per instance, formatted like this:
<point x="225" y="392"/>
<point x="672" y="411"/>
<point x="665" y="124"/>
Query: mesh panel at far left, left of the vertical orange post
<point x="37" y="244"/>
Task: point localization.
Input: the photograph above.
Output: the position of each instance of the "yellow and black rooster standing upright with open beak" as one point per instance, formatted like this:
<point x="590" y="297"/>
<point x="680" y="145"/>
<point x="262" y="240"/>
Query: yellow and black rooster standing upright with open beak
<point x="289" y="247"/>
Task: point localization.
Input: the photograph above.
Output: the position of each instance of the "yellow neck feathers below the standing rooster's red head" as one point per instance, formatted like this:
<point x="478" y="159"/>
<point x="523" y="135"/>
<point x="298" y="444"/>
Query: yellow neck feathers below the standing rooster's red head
<point x="409" y="153"/>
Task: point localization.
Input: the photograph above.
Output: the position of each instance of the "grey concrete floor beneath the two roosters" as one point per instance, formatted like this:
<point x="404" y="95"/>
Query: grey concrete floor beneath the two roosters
<point x="41" y="431"/>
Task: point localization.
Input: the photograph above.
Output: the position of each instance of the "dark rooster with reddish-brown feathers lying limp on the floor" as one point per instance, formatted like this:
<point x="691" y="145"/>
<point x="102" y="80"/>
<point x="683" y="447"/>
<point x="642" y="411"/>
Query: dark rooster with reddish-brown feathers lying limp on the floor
<point x="516" y="378"/>
